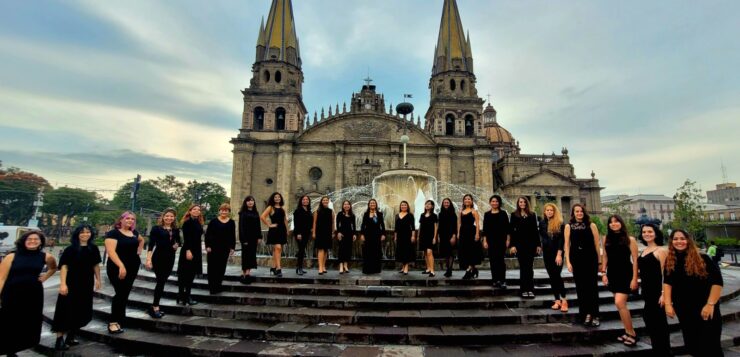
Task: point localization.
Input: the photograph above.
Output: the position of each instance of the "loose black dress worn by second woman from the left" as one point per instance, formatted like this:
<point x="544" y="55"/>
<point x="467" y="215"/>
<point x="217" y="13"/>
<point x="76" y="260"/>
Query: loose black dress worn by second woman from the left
<point x="75" y="309"/>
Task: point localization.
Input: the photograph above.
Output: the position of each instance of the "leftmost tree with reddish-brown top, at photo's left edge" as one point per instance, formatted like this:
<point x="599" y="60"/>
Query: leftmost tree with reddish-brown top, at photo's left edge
<point x="18" y="191"/>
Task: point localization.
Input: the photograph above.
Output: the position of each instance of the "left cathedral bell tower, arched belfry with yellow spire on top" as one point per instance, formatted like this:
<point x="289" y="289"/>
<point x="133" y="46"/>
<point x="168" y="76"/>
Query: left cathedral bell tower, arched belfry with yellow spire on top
<point x="273" y="102"/>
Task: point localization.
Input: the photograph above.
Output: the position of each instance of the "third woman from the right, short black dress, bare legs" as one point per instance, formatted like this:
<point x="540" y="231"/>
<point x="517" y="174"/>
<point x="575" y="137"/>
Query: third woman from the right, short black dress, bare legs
<point x="620" y="265"/>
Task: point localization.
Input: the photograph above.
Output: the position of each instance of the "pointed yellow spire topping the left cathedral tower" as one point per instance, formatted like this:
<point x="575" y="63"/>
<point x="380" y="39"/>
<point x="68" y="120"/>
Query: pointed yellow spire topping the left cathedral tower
<point x="279" y="36"/>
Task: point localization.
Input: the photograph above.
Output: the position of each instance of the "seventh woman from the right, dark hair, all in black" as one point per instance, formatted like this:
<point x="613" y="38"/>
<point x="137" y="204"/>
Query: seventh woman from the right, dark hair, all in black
<point x="496" y="230"/>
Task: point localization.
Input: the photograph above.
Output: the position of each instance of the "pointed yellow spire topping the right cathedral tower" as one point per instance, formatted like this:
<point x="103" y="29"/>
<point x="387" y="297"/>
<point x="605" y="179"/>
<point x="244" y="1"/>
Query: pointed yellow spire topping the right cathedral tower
<point x="452" y="44"/>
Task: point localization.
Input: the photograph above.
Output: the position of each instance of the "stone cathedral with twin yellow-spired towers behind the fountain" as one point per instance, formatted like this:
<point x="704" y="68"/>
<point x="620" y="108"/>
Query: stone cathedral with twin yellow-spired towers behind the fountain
<point x="280" y="147"/>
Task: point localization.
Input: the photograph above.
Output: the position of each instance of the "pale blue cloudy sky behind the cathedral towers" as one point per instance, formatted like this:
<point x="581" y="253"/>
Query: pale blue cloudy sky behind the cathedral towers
<point x="645" y="94"/>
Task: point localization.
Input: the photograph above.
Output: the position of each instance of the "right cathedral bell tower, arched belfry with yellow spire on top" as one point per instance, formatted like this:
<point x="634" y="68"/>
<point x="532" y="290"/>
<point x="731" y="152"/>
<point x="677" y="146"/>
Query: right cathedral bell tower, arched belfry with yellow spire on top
<point x="454" y="108"/>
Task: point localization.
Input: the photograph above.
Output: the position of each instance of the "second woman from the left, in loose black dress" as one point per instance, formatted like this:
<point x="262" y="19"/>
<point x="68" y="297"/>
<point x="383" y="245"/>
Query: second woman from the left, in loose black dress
<point x="80" y="276"/>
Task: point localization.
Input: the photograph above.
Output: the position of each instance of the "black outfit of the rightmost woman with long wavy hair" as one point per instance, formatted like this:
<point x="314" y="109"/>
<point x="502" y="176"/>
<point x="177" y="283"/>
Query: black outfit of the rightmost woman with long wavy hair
<point x="690" y="294"/>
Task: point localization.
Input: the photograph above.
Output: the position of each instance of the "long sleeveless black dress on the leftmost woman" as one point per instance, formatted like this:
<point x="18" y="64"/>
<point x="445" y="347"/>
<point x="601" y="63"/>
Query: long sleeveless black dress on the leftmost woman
<point x="22" y="303"/>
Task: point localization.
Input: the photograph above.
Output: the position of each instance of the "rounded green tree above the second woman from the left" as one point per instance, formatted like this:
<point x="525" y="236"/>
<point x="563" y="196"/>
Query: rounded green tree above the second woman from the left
<point x="66" y="203"/>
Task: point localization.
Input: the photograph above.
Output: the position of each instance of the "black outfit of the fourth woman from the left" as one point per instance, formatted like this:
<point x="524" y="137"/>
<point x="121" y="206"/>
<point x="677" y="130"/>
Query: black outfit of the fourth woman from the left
<point x="161" y="241"/>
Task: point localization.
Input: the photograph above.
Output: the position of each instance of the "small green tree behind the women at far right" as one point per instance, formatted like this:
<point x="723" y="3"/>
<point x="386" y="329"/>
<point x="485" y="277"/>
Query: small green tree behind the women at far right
<point x="688" y="213"/>
